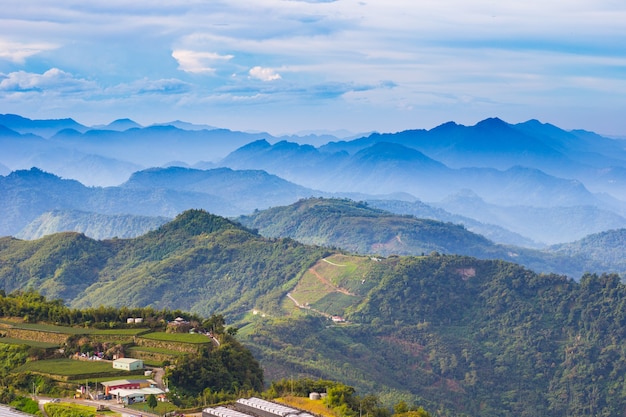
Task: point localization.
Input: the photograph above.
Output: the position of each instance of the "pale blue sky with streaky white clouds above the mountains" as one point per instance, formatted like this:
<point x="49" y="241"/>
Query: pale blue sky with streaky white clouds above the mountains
<point x="286" y="66"/>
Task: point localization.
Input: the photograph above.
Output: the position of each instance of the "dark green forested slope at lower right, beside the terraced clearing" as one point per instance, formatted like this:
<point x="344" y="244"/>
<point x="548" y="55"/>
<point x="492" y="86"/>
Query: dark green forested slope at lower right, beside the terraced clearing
<point x="465" y="337"/>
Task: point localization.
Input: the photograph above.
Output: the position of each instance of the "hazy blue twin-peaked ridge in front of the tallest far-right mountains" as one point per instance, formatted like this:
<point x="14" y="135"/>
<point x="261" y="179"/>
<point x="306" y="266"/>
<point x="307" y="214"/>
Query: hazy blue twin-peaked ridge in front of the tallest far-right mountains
<point x="388" y="167"/>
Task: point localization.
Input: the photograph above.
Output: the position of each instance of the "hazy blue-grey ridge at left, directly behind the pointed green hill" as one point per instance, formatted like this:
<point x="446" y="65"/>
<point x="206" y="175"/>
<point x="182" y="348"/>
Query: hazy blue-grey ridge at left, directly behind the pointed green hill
<point x="166" y="192"/>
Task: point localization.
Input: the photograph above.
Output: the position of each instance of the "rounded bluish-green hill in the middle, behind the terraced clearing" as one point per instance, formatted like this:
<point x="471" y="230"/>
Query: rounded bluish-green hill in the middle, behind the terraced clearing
<point x="359" y="228"/>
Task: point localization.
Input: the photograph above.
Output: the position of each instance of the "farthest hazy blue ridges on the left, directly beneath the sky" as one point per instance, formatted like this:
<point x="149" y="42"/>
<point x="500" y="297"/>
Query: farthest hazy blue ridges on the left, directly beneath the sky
<point x="109" y="154"/>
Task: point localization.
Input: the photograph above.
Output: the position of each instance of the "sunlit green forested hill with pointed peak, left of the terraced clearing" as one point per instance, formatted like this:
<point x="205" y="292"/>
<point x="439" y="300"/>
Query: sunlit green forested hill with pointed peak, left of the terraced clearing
<point x="198" y="262"/>
